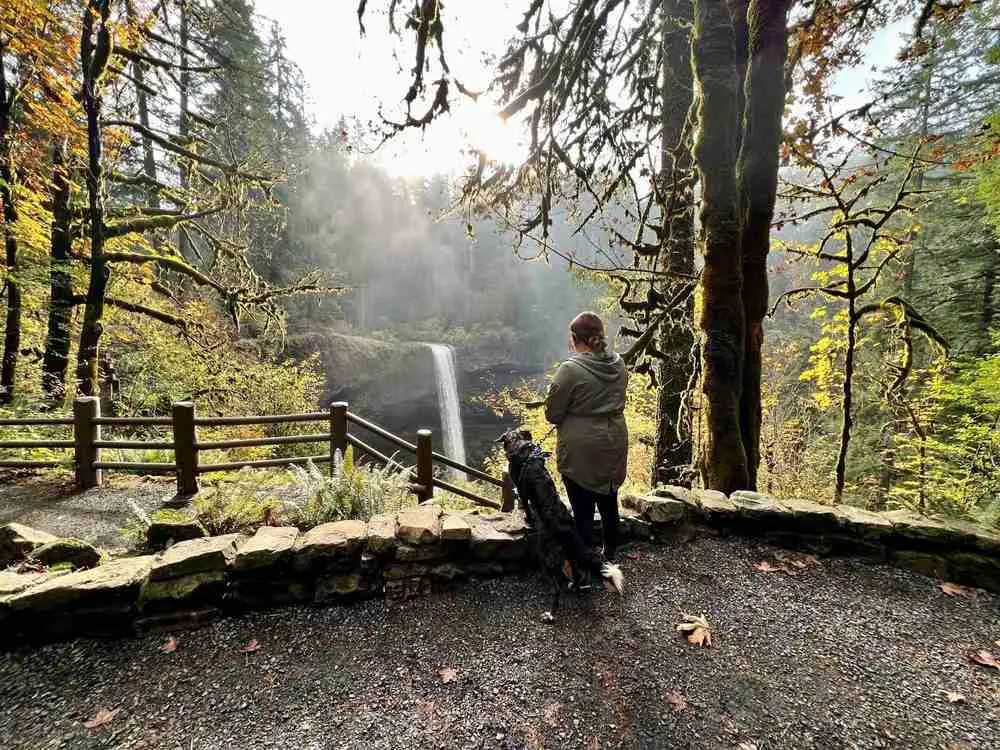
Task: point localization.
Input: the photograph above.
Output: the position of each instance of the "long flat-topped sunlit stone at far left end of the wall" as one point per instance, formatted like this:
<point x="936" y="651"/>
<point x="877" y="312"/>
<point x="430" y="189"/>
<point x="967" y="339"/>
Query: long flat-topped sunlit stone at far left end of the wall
<point x="113" y="583"/>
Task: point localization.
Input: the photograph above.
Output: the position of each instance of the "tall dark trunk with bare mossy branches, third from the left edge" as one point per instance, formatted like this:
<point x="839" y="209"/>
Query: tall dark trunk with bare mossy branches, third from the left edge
<point x="94" y="56"/>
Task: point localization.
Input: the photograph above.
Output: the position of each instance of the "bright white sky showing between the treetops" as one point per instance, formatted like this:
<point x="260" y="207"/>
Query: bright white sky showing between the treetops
<point x="350" y="75"/>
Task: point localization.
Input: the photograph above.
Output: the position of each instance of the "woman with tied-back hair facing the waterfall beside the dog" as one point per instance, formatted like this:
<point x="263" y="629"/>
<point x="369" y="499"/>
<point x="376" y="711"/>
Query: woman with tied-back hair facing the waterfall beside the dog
<point x="586" y="403"/>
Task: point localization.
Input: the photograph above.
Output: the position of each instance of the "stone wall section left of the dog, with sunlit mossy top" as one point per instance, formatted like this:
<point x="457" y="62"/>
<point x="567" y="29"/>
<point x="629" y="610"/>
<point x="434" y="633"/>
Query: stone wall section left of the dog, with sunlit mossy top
<point x="196" y="580"/>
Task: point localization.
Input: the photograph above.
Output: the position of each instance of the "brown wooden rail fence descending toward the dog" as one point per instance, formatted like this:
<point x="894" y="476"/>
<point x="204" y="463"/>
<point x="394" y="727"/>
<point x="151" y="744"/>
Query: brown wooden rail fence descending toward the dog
<point x="88" y="442"/>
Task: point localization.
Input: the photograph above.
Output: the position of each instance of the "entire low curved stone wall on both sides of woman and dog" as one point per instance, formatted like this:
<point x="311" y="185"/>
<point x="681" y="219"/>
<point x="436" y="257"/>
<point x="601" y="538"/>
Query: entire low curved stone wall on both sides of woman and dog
<point x="408" y="554"/>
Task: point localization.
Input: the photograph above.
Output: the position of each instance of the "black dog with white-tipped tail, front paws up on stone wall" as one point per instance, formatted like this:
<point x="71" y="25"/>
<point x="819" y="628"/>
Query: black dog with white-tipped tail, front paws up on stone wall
<point x="558" y="541"/>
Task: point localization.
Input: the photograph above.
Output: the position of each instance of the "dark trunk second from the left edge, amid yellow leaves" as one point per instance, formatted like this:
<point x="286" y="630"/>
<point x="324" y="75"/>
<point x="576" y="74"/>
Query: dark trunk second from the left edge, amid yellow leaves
<point x="57" y="338"/>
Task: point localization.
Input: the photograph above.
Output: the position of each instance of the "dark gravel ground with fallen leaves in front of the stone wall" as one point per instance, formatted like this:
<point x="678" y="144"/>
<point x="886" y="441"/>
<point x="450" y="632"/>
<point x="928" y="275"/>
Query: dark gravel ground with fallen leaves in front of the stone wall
<point x="844" y="655"/>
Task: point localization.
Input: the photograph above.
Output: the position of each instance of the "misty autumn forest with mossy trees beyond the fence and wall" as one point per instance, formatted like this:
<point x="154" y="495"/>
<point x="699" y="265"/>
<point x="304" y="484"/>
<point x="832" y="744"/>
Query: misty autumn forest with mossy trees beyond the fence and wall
<point x="804" y="284"/>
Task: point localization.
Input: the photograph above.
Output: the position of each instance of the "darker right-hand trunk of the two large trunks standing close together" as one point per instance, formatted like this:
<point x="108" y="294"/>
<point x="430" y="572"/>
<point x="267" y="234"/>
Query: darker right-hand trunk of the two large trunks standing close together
<point x="758" y="175"/>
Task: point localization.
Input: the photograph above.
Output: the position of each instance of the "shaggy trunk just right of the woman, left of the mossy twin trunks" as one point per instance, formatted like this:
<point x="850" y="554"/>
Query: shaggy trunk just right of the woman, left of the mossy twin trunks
<point x="673" y="457"/>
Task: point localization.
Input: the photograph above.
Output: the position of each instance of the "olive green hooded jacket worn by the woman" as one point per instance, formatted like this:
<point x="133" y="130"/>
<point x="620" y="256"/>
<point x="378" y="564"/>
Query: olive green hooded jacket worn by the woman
<point x="586" y="403"/>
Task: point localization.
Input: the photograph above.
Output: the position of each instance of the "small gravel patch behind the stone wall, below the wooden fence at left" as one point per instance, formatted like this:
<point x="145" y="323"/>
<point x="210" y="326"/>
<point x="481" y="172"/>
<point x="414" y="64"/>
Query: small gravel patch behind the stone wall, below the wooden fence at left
<point x="96" y="516"/>
